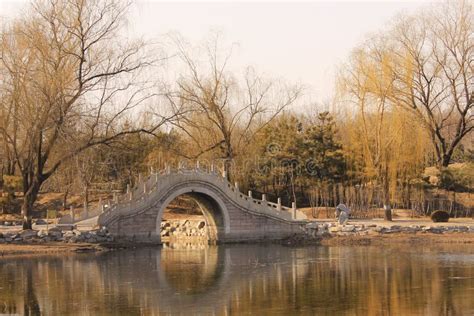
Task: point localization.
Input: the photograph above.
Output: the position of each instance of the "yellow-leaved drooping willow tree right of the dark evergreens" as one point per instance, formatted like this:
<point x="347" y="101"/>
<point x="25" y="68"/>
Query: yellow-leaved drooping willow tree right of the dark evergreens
<point x="381" y="134"/>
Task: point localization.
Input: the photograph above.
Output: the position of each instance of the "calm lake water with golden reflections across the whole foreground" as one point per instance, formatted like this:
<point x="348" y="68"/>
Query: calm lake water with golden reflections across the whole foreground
<point x="244" y="280"/>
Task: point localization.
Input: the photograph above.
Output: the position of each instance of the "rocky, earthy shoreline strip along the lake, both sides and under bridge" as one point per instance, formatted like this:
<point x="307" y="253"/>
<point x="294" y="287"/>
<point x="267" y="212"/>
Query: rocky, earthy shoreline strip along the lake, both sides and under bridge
<point x="374" y="232"/>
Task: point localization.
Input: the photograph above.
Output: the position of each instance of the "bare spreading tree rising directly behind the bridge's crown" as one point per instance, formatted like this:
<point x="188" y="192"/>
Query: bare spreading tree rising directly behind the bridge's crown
<point x="224" y="112"/>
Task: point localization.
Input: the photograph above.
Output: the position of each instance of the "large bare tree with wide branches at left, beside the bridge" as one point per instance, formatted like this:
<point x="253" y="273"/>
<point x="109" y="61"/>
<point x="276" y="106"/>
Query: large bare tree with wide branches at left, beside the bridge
<point x="69" y="79"/>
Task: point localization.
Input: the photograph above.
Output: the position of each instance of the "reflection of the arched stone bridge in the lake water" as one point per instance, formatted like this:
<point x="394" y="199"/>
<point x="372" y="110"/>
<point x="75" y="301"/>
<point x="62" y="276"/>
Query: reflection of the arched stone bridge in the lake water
<point x="212" y="277"/>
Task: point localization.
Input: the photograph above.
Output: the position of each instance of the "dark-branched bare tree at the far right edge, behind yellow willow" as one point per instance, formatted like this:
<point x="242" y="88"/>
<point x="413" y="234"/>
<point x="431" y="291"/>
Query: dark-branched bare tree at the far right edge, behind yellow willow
<point x="435" y="73"/>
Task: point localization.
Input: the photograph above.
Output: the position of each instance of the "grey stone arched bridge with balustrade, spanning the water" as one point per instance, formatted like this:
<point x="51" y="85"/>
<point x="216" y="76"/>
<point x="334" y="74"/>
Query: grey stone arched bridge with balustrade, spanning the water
<point x="231" y="216"/>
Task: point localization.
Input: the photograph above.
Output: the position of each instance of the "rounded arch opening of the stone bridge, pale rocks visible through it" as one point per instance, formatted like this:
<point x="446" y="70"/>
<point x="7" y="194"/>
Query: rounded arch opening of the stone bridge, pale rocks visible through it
<point x="192" y="215"/>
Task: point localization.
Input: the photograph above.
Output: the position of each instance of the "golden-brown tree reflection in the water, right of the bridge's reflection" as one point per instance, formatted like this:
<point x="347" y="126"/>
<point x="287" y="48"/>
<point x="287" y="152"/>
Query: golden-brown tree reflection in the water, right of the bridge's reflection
<point x="359" y="280"/>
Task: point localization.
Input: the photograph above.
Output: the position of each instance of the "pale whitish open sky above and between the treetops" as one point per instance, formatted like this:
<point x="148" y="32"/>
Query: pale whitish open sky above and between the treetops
<point x="301" y="42"/>
